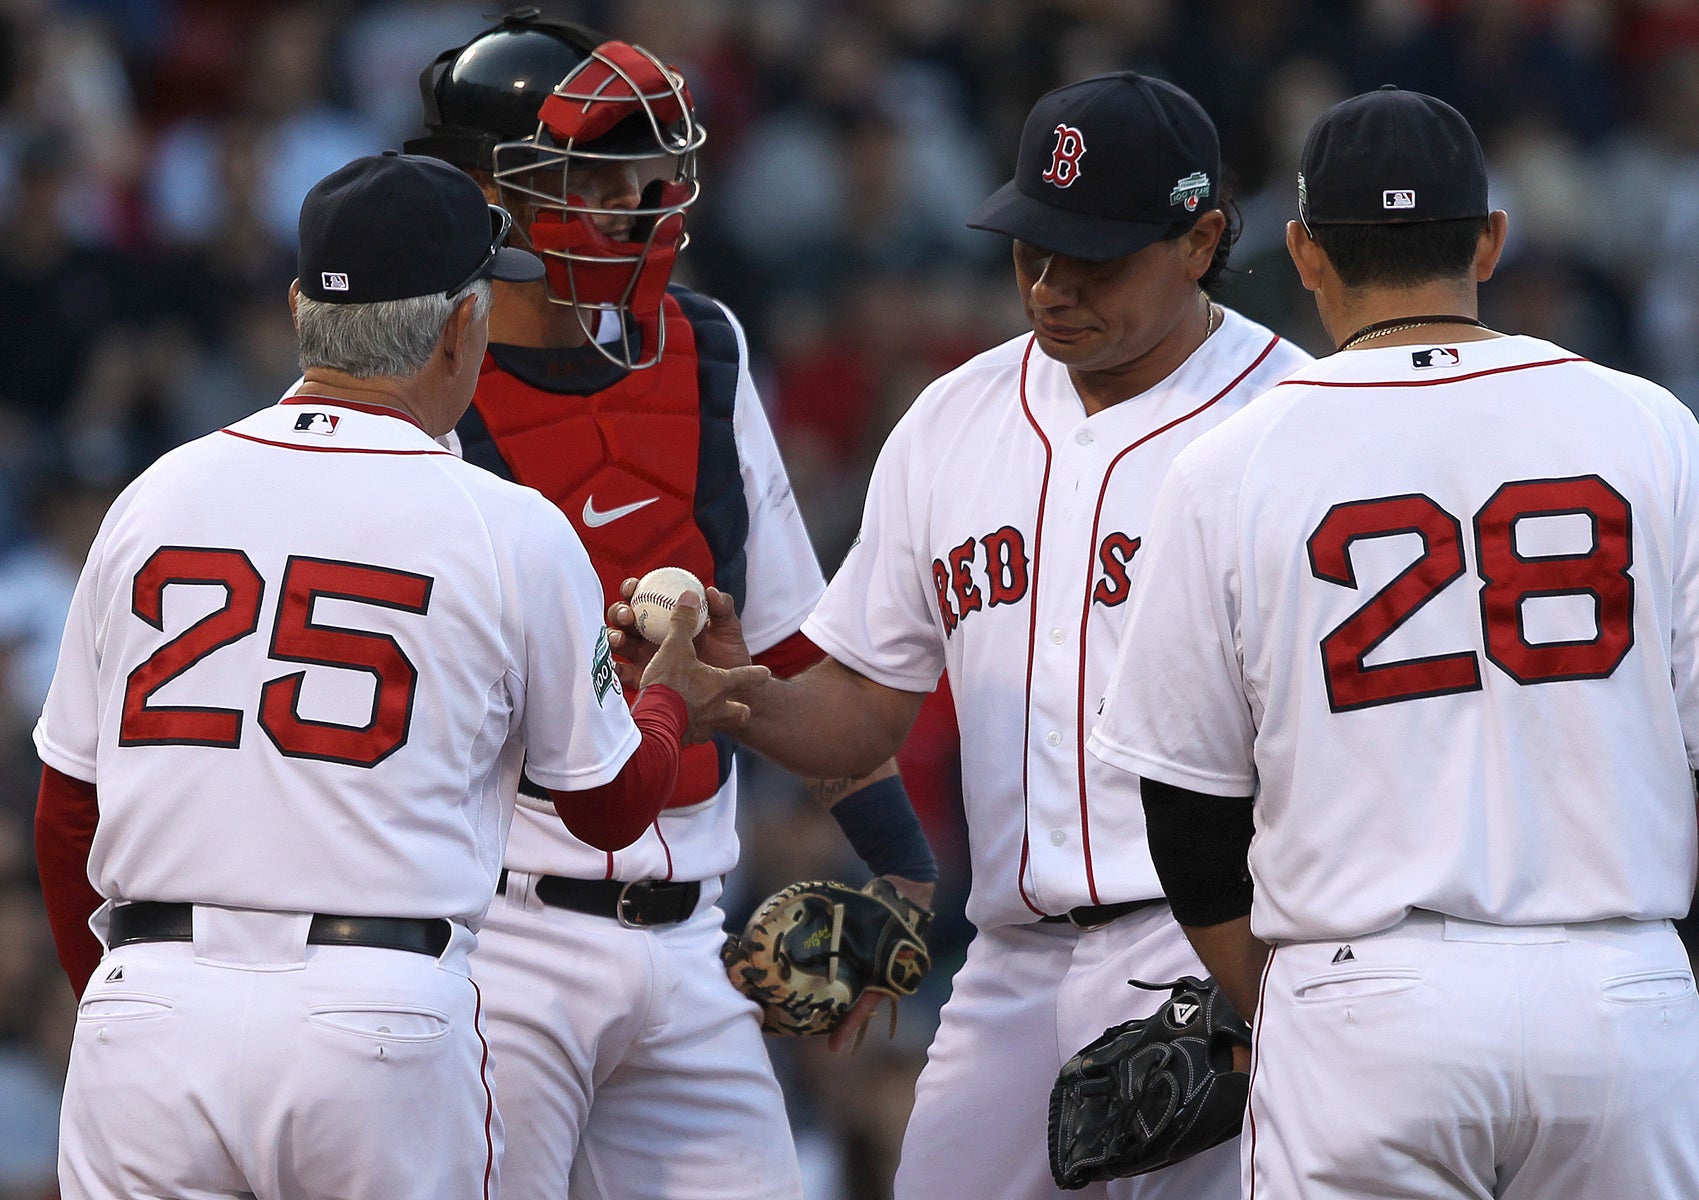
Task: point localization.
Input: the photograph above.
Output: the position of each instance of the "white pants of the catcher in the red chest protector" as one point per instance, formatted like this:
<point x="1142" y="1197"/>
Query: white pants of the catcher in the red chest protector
<point x="628" y="1067"/>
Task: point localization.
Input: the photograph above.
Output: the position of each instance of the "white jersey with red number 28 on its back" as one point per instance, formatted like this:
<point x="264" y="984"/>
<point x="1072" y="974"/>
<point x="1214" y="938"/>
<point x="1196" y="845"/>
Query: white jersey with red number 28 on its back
<point x="1438" y="606"/>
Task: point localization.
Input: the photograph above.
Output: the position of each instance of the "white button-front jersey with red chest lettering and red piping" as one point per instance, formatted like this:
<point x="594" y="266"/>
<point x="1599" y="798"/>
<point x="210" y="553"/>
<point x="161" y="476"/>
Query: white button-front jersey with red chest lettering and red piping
<point x="998" y="543"/>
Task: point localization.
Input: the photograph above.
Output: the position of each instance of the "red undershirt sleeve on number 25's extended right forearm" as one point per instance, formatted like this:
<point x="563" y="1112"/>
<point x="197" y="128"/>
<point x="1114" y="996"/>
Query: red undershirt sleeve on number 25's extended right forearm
<point x="616" y="815"/>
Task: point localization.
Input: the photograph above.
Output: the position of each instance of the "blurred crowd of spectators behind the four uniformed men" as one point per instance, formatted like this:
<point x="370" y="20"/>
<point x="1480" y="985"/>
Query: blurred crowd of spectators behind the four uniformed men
<point x="154" y="156"/>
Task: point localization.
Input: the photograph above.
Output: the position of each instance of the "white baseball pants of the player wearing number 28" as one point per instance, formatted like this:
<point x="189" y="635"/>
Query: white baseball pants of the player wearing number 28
<point x="1447" y="1060"/>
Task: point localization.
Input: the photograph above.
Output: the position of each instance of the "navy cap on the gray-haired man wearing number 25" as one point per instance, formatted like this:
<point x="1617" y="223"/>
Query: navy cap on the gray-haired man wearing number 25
<point x="392" y="227"/>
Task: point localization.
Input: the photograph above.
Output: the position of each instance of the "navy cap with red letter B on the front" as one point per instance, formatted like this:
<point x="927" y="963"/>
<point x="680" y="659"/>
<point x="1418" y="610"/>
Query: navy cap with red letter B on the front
<point x="1109" y="167"/>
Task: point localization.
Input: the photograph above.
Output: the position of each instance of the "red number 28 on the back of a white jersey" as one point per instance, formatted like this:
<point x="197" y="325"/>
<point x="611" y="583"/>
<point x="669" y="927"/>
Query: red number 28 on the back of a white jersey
<point x="1508" y="580"/>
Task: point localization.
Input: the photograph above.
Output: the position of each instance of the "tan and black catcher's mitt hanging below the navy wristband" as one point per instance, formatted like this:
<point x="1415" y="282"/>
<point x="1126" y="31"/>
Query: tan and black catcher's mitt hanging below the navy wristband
<point x="813" y="949"/>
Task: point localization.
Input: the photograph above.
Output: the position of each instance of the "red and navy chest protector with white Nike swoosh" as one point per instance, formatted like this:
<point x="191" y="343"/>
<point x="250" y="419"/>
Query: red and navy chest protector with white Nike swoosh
<point x="643" y="463"/>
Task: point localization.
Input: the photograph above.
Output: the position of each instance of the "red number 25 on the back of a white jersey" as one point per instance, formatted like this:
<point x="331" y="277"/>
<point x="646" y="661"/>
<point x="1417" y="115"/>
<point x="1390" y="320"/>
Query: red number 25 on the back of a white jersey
<point x="296" y="638"/>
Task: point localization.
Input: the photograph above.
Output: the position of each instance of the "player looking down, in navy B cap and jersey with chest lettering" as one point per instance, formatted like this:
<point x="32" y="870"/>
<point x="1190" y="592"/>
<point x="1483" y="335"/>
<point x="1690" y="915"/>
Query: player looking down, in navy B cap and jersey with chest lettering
<point x="1003" y="526"/>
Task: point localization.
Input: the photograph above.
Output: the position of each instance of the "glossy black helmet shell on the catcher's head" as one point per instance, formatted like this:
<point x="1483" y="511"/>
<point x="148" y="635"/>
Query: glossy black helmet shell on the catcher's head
<point x="490" y="89"/>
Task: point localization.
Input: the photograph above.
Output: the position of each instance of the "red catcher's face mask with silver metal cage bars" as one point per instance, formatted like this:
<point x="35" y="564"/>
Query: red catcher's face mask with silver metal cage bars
<point x="609" y="178"/>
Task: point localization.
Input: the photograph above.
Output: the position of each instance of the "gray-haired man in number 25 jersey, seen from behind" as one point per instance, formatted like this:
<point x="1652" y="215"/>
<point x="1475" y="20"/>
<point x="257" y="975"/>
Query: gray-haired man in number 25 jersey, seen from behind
<point x="303" y="667"/>
